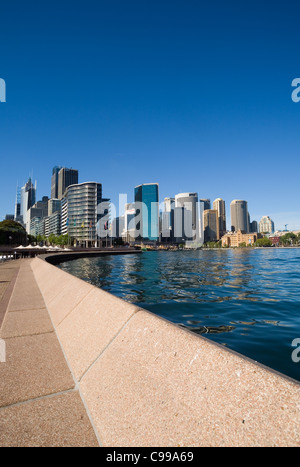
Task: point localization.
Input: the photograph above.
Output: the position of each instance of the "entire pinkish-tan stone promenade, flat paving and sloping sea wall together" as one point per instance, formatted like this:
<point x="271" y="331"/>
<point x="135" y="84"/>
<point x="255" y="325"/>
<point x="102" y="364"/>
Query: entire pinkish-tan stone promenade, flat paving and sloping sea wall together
<point x="84" y="368"/>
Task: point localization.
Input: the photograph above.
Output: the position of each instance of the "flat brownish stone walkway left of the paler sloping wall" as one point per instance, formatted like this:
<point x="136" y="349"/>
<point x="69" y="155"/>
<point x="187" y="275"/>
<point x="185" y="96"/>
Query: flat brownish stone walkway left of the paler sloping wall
<point x="39" y="403"/>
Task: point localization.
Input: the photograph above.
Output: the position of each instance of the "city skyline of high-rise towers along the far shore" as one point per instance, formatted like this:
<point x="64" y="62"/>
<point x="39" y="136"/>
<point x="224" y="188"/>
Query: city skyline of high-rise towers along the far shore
<point x="53" y="215"/>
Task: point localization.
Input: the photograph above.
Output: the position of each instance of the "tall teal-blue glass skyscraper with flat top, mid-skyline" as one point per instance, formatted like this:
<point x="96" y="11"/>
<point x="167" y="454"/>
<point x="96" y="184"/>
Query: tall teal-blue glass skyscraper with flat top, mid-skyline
<point x="147" y="212"/>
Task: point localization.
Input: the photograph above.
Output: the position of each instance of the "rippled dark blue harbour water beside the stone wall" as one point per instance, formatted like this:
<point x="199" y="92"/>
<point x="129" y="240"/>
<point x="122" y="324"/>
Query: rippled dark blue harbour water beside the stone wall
<point x="245" y="299"/>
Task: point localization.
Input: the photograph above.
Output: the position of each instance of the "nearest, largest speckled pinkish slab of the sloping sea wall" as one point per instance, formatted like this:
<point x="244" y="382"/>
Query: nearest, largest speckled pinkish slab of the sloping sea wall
<point x="159" y="385"/>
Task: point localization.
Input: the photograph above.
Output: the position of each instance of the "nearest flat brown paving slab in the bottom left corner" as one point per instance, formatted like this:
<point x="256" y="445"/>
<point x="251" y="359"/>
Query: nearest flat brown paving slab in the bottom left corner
<point x="58" y="421"/>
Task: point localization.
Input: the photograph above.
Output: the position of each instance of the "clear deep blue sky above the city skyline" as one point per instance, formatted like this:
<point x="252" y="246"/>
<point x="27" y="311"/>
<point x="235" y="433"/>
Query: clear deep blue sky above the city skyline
<point x="193" y="95"/>
